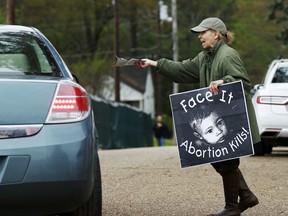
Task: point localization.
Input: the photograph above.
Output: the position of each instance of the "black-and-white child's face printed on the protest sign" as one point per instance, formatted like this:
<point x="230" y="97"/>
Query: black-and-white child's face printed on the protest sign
<point x="213" y="129"/>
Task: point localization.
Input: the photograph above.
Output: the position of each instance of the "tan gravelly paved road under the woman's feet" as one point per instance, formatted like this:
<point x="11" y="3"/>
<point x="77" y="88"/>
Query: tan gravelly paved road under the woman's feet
<point x="150" y="182"/>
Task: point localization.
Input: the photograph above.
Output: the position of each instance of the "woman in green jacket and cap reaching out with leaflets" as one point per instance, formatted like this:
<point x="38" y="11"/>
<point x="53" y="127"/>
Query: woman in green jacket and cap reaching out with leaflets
<point x="217" y="64"/>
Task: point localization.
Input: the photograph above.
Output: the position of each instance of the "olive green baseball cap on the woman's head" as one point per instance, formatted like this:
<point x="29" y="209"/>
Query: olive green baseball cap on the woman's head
<point x="211" y="23"/>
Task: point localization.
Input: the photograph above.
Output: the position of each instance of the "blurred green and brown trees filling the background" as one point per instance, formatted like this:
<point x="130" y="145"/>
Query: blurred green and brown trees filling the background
<point x="83" y="33"/>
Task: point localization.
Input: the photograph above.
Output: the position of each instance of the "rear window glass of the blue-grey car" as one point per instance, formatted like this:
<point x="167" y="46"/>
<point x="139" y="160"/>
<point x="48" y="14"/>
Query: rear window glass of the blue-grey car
<point x="25" y="54"/>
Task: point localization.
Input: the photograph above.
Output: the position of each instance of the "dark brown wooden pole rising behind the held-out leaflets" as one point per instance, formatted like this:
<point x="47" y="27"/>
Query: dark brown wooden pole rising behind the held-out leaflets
<point x="116" y="50"/>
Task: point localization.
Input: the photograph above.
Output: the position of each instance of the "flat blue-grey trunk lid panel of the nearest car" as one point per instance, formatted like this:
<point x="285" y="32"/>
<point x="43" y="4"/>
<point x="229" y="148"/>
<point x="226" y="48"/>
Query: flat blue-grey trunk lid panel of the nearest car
<point x="25" y="101"/>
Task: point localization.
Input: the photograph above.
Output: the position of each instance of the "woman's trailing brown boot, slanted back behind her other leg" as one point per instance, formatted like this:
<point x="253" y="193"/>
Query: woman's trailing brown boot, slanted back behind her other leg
<point x="247" y="198"/>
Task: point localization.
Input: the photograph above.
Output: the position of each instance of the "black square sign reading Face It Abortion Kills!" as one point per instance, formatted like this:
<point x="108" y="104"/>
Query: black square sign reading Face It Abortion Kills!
<point x="211" y="128"/>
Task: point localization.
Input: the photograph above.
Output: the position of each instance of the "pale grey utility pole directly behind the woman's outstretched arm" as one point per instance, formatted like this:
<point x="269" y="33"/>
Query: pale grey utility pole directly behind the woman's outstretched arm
<point x="175" y="38"/>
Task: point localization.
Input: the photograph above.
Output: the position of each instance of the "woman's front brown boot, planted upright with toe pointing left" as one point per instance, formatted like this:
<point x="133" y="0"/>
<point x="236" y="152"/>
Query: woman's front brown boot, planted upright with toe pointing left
<point x="231" y="190"/>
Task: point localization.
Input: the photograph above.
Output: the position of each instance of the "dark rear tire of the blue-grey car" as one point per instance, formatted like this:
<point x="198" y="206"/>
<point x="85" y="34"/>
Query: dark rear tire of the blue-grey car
<point x="93" y="207"/>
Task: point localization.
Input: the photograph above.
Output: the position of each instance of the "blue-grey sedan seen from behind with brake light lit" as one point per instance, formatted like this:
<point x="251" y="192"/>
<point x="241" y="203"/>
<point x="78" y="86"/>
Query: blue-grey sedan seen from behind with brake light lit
<point x="48" y="141"/>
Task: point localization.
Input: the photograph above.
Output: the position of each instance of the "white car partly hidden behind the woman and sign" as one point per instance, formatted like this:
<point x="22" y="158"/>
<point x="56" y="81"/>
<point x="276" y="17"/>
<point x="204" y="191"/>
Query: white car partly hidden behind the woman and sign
<point x="270" y="102"/>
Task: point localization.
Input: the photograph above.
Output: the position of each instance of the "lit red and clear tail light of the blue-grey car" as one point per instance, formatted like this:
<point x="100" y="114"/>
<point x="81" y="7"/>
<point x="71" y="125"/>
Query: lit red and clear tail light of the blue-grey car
<point x="71" y="103"/>
